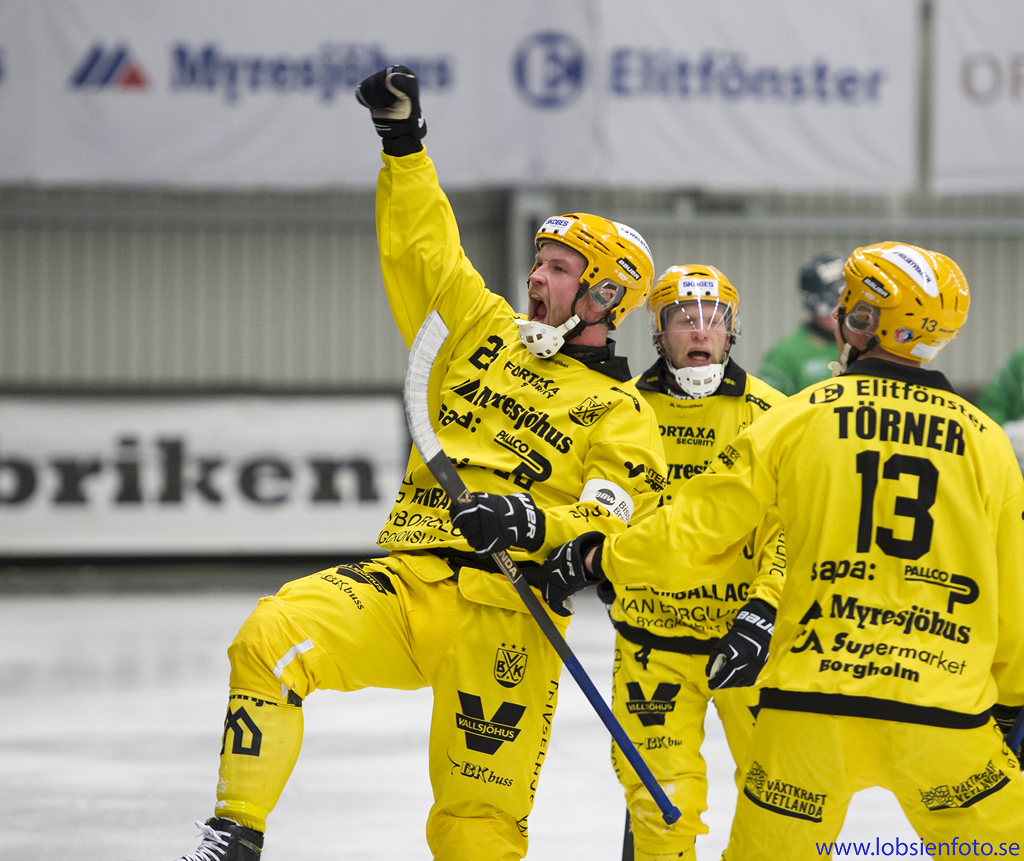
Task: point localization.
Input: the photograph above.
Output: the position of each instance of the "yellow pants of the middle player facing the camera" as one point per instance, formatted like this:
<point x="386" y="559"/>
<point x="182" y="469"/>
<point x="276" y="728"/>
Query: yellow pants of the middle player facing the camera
<point x="661" y="700"/>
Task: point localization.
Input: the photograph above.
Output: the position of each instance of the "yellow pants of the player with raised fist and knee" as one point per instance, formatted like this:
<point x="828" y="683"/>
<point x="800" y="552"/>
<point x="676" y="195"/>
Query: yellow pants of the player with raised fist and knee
<point x="377" y="624"/>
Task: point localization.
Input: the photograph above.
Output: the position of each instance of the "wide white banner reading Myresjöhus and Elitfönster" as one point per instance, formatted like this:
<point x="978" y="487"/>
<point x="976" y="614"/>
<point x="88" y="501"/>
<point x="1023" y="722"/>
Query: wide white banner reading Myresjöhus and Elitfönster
<point x="737" y="95"/>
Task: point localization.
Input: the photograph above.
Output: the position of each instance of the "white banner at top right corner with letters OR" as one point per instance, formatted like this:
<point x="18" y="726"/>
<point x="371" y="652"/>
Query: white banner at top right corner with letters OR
<point x="978" y="139"/>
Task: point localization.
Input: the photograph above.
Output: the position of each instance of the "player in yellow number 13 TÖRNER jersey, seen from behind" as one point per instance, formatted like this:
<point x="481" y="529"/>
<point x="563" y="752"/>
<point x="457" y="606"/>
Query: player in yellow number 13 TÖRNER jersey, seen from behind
<point x="899" y="654"/>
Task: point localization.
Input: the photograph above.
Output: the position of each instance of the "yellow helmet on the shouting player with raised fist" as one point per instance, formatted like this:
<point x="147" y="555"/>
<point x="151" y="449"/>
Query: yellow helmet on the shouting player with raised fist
<point x="616" y="255"/>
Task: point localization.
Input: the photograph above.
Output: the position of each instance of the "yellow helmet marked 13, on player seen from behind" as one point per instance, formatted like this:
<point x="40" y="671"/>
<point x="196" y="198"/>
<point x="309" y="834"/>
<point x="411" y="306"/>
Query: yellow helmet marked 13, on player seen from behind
<point x="913" y="300"/>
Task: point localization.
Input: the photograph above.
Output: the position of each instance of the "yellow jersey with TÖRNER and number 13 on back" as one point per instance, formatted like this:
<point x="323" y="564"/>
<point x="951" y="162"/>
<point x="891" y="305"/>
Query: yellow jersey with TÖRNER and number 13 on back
<point x="904" y="511"/>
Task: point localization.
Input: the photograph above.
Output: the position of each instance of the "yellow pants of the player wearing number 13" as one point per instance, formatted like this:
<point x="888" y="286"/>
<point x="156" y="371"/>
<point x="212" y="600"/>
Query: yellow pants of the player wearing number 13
<point x="952" y="784"/>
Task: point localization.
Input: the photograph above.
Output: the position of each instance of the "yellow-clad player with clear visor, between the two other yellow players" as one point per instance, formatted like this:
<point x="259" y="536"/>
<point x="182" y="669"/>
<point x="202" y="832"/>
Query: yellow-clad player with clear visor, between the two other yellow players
<point x="666" y="641"/>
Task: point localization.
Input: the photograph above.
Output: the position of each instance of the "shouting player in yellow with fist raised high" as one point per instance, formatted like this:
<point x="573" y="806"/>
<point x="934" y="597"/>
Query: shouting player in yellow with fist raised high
<point x="538" y="414"/>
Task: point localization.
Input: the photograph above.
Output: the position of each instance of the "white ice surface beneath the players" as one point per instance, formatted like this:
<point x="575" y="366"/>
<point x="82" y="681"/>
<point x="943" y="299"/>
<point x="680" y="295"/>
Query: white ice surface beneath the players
<point x="111" y="714"/>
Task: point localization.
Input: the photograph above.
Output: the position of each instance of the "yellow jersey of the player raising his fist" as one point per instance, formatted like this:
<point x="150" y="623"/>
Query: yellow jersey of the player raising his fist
<point x="571" y="430"/>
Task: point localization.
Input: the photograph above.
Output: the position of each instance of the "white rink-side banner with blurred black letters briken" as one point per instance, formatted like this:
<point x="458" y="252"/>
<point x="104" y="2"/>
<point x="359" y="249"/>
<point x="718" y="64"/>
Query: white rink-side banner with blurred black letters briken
<point x="238" y="476"/>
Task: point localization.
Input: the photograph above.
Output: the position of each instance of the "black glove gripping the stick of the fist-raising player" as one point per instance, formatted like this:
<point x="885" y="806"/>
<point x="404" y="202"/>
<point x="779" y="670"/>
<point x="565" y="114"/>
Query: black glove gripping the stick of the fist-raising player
<point x="492" y="523"/>
